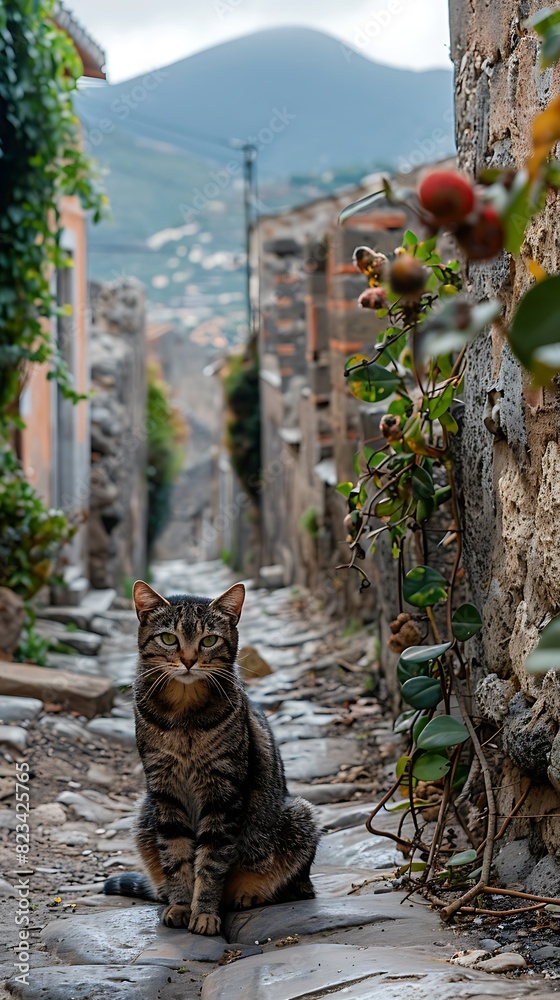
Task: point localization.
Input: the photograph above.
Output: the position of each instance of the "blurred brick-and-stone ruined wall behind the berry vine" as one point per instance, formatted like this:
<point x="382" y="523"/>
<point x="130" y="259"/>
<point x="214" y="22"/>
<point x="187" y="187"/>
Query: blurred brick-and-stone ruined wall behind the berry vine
<point x="312" y="426"/>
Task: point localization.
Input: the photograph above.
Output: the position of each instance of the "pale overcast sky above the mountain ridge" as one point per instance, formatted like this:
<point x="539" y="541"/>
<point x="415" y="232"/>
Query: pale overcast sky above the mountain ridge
<point x="140" y="35"/>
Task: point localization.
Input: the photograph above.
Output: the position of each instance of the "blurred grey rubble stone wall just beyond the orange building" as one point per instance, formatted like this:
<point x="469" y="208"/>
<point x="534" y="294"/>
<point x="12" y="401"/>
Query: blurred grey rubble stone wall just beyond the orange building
<point x="117" y="523"/>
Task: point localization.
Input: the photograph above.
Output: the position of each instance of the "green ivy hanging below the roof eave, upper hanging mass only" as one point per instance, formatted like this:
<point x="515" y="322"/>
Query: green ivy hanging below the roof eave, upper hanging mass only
<point x="40" y="162"/>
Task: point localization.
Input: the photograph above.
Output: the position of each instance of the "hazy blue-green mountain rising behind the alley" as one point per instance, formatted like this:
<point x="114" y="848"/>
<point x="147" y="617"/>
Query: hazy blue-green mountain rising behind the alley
<point x="317" y="112"/>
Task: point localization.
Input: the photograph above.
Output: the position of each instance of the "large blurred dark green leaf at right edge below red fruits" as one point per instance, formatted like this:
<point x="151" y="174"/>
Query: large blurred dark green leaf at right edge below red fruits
<point x="535" y="330"/>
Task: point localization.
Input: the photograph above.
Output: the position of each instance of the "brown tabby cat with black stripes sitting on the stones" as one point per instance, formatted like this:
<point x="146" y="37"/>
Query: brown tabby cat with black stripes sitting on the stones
<point x="217" y="828"/>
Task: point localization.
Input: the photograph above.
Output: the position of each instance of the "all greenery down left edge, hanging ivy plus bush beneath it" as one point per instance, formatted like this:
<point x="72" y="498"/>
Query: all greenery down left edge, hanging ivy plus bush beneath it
<point x="40" y="162"/>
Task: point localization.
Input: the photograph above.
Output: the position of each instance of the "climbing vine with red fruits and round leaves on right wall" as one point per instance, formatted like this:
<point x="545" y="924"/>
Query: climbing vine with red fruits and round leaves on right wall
<point x="407" y="488"/>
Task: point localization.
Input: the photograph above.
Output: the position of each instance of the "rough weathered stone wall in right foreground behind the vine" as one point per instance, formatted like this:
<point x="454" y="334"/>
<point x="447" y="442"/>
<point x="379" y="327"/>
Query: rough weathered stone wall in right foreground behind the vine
<point x="511" y="469"/>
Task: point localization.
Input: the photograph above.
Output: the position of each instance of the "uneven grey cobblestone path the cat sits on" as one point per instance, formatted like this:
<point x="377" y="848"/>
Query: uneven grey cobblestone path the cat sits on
<point x="358" y="940"/>
